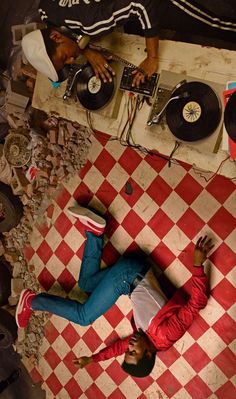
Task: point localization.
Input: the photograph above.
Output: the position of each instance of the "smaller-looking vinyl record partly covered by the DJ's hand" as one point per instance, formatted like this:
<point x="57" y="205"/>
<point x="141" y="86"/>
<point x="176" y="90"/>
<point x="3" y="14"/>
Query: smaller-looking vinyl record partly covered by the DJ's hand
<point x="93" y="93"/>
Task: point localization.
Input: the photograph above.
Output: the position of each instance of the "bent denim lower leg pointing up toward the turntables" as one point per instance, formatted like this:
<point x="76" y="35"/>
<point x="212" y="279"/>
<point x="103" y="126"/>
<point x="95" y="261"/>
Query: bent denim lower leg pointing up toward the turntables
<point x="90" y="273"/>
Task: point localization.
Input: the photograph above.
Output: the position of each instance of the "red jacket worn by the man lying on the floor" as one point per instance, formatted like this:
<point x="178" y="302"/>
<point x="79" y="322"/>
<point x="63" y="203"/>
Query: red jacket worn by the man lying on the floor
<point x="171" y="322"/>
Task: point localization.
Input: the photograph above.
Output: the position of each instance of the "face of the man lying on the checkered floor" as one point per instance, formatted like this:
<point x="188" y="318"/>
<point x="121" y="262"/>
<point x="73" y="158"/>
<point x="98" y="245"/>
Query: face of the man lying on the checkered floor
<point x="138" y="344"/>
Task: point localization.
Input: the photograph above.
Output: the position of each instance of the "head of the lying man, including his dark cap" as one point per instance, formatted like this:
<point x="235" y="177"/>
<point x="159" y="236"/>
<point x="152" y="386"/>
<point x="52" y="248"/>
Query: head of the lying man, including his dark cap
<point x="140" y="355"/>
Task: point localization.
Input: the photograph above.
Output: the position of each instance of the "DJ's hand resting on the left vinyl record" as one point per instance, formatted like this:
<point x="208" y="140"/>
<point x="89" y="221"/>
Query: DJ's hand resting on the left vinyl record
<point x="100" y="65"/>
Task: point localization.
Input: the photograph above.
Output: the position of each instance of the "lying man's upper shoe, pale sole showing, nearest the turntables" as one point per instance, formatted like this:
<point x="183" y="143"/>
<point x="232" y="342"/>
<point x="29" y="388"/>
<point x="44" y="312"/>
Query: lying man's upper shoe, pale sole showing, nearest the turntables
<point x="89" y="219"/>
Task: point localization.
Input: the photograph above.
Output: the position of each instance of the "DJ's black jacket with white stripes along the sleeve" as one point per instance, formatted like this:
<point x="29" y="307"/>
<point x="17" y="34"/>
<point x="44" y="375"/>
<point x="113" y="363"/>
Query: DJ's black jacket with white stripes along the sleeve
<point x="99" y="17"/>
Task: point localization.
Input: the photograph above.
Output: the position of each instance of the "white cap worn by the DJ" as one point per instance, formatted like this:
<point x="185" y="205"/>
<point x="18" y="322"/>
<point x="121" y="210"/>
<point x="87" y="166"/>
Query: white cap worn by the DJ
<point x="35" y="51"/>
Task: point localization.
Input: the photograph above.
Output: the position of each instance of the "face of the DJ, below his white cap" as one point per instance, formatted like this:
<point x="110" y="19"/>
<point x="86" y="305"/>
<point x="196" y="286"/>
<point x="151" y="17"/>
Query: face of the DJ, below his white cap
<point x="66" y="51"/>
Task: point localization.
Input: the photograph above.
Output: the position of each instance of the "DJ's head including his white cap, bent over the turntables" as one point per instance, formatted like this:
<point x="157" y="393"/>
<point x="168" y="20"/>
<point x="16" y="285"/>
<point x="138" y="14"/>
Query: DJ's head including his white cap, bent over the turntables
<point x="49" y="51"/>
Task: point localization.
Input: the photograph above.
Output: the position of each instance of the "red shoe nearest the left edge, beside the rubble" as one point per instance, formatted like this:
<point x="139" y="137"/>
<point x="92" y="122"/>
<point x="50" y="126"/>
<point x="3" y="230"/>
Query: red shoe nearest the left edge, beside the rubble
<point x="23" y="310"/>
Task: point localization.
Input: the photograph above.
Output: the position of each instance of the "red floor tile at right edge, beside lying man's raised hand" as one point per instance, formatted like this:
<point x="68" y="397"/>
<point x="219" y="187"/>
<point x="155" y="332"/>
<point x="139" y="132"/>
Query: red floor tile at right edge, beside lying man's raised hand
<point x="224" y="258"/>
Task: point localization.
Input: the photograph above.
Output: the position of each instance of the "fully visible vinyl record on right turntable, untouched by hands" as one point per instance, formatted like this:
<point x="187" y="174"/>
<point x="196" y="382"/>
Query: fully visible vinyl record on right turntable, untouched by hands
<point x="195" y="112"/>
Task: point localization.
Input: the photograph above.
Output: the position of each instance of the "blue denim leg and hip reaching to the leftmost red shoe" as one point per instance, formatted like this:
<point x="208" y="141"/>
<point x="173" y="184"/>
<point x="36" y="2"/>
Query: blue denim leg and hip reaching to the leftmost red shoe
<point x="115" y="282"/>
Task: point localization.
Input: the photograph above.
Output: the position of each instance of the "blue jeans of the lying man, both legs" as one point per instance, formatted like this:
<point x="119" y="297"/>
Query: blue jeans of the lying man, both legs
<point x="105" y="285"/>
